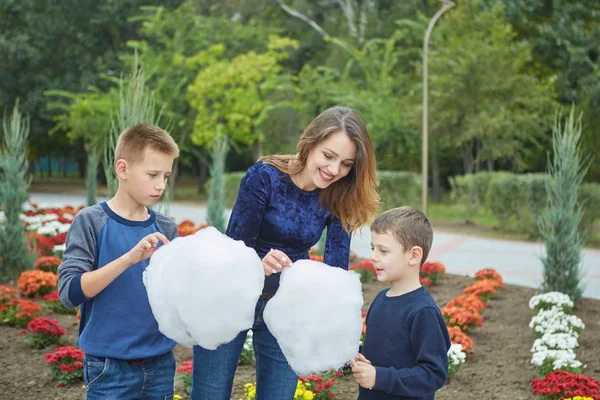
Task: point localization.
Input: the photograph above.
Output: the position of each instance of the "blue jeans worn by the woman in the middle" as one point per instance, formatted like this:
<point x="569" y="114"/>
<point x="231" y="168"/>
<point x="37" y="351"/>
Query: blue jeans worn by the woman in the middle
<point x="213" y="370"/>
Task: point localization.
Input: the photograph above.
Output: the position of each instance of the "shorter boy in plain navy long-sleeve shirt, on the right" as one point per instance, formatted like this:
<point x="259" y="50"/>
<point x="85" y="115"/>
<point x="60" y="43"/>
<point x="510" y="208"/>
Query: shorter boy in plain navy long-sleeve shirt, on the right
<point x="405" y="352"/>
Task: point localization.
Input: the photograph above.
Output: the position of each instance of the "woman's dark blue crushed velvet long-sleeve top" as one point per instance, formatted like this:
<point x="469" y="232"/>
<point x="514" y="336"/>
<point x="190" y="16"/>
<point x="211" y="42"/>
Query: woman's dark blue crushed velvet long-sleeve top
<point x="271" y="212"/>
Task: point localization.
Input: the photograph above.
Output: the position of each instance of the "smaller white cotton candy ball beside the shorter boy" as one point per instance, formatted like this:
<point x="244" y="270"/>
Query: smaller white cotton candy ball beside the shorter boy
<point x="316" y="316"/>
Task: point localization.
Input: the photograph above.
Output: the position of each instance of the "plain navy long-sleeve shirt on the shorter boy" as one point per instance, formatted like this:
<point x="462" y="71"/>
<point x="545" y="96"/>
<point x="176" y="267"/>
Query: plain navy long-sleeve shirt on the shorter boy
<point x="407" y="342"/>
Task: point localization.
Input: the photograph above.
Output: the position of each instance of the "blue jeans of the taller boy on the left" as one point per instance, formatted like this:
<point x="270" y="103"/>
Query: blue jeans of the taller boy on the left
<point x="111" y="379"/>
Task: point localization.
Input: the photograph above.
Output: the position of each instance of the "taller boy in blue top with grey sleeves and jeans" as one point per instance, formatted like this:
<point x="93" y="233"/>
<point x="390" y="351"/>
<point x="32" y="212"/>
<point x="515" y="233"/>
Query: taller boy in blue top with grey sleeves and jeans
<point x="107" y="250"/>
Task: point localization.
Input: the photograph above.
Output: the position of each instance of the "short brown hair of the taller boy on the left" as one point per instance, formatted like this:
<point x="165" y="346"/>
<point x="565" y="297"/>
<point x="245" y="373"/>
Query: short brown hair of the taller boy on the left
<point x="132" y="142"/>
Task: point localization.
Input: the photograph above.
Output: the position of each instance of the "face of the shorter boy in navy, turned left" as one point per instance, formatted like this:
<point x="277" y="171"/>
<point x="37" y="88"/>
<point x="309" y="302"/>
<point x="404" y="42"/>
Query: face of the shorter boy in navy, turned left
<point x="391" y="261"/>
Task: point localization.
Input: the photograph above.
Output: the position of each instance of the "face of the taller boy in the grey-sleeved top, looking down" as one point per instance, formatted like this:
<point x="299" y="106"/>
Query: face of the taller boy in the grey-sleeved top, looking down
<point x="146" y="179"/>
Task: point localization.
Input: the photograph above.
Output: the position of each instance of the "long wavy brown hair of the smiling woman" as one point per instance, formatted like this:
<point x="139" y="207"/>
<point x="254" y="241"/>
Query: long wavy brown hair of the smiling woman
<point x="353" y="199"/>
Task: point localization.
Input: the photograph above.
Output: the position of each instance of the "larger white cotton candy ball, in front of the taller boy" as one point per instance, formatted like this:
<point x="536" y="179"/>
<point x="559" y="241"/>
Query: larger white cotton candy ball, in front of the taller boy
<point x="203" y="288"/>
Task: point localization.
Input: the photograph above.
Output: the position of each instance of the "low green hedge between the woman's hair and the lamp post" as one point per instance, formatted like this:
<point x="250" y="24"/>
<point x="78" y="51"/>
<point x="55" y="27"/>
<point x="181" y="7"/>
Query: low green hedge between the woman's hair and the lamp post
<point x="399" y="188"/>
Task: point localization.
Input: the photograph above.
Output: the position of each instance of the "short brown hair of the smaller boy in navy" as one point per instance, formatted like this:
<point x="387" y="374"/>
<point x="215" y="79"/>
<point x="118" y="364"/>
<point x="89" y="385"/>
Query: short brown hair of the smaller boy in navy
<point x="409" y="226"/>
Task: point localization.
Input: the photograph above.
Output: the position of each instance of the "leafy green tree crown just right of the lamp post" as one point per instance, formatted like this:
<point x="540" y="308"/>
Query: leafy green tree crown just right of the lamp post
<point x="482" y="97"/>
